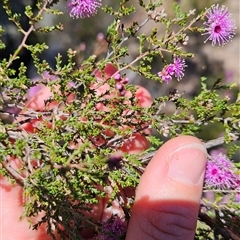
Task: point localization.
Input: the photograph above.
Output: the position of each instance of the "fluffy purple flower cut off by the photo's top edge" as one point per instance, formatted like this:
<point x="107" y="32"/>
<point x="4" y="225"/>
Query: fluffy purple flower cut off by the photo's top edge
<point x="83" y="8"/>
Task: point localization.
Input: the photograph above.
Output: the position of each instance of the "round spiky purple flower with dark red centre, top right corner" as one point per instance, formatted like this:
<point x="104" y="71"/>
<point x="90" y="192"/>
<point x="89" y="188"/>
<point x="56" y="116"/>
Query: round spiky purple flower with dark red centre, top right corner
<point x="219" y="25"/>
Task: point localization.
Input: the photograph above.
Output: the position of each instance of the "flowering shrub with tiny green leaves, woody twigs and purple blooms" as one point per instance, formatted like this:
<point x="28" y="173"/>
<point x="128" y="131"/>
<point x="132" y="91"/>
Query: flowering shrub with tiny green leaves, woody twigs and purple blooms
<point x="80" y="136"/>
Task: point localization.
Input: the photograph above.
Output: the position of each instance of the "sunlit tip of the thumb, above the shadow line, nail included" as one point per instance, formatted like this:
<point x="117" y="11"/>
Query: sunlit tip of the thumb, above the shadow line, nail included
<point x="166" y="176"/>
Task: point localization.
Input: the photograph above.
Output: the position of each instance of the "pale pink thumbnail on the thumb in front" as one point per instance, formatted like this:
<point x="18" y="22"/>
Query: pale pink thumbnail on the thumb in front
<point x="187" y="163"/>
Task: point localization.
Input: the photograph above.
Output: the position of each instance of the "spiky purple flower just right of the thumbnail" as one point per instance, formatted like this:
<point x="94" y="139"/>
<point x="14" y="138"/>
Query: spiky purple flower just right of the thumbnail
<point x="220" y="173"/>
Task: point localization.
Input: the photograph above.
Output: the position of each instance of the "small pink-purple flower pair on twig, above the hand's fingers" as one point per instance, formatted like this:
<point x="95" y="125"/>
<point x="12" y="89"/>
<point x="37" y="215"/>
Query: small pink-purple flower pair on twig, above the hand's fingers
<point x="174" y="69"/>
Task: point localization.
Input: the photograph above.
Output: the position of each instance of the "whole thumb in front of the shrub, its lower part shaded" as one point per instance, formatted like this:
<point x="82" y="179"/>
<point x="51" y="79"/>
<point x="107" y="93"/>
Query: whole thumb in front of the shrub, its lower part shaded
<point x="168" y="196"/>
